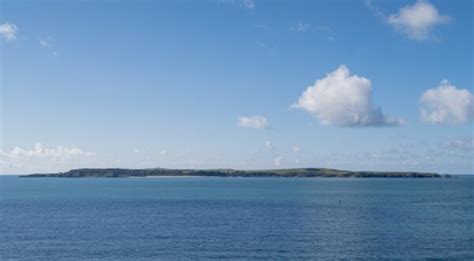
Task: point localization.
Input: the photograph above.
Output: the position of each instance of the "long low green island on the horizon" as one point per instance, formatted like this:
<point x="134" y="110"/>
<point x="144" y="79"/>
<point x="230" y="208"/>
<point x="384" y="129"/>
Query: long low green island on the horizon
<point x="295" y="172"/>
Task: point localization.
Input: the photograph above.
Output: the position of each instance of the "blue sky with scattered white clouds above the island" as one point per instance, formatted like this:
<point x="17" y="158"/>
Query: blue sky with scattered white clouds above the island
<point x="244" y="84"/>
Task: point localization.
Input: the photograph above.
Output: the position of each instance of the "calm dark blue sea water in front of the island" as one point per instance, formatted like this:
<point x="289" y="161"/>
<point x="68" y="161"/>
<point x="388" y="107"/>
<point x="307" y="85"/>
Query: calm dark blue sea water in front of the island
<point x="238" y="218"/>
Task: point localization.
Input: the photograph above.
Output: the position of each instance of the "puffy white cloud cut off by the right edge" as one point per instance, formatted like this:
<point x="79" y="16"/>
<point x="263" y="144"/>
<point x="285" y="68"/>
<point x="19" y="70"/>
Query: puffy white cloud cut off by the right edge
<point x="447" y="104"/>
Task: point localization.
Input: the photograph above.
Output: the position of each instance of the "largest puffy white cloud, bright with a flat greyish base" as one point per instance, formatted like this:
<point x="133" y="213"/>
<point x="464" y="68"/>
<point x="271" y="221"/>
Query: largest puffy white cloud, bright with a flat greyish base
<point x="343" y="99"/>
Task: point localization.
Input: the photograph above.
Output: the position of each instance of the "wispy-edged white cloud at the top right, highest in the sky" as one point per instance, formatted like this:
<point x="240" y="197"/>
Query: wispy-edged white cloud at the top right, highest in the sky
<point x="416" y="21"/>
